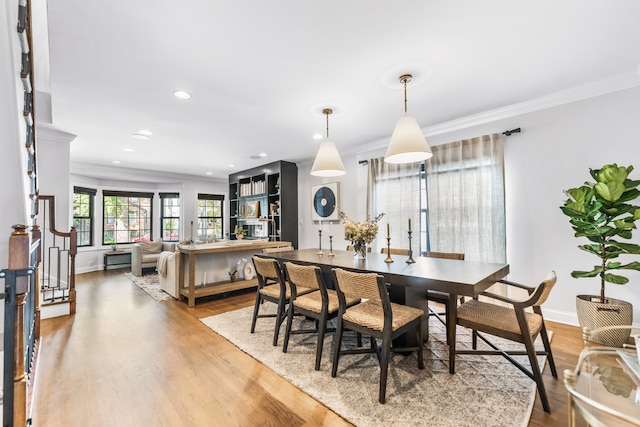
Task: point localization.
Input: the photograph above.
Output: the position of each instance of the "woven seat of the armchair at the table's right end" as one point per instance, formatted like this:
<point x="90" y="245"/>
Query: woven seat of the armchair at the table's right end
<point x="497" y="316"/>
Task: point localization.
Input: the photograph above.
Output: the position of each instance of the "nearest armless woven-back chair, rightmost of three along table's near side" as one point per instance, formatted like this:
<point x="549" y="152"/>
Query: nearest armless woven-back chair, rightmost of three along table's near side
<point x="375" y="316"/>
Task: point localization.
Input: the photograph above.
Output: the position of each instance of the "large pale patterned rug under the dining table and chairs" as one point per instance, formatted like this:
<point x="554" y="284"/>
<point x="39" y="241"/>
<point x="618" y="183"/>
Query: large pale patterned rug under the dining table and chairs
<point x="484" y="391"/>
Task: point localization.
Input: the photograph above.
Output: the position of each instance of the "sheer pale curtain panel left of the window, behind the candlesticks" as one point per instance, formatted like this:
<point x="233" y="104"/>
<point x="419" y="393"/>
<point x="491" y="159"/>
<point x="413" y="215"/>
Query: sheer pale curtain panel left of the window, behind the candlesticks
<point x="395" y="190"/>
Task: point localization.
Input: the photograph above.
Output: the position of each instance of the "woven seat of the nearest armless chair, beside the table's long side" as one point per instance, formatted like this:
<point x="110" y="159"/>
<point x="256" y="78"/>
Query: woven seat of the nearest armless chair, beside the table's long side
<point x="370" y="315"/>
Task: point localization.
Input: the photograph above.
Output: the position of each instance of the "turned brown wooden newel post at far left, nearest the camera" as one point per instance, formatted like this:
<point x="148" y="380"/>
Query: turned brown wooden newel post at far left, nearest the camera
<point x="19" y="260"/>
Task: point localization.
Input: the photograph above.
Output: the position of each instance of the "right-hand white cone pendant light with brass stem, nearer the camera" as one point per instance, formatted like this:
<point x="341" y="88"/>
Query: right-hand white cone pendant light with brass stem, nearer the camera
<point x="408" y="143"/>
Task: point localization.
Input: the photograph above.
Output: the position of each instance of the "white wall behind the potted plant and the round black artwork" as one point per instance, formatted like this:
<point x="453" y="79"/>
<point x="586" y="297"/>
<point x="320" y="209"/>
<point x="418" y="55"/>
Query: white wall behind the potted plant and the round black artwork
<point x="554" y="152"/>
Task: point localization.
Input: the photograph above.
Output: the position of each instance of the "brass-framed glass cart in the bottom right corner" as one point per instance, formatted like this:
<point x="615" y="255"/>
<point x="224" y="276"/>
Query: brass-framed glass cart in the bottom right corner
<point x="605" y="387"/>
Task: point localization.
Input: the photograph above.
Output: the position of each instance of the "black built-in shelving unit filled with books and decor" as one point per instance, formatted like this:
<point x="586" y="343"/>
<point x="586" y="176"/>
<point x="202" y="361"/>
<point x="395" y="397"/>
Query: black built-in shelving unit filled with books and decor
<point x="264" y="201"/>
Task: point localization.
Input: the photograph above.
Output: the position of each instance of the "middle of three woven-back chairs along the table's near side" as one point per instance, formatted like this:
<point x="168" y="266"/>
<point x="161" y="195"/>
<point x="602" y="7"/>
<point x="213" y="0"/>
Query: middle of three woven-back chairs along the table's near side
<point x="310" y="298"/>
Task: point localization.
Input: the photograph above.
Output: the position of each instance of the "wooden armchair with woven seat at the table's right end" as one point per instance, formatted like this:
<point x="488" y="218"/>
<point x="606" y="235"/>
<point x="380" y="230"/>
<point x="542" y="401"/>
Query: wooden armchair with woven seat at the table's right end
<point x="519" y="321"/>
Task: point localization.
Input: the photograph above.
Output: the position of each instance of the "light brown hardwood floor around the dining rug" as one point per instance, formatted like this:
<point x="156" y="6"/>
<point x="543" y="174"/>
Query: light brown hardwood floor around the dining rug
<point x="127" y="360"/>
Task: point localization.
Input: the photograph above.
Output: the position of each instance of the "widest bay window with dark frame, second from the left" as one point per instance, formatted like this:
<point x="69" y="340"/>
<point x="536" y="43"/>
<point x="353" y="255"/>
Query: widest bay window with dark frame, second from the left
<point x="127" y="217"/>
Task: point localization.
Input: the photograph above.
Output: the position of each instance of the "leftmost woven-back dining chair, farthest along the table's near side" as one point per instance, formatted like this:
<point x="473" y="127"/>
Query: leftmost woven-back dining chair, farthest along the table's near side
<point x="273" y="288"/>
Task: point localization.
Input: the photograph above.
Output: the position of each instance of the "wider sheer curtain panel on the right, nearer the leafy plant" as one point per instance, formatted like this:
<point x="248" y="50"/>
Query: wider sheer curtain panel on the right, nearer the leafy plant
<point x="465" y="194"/>
